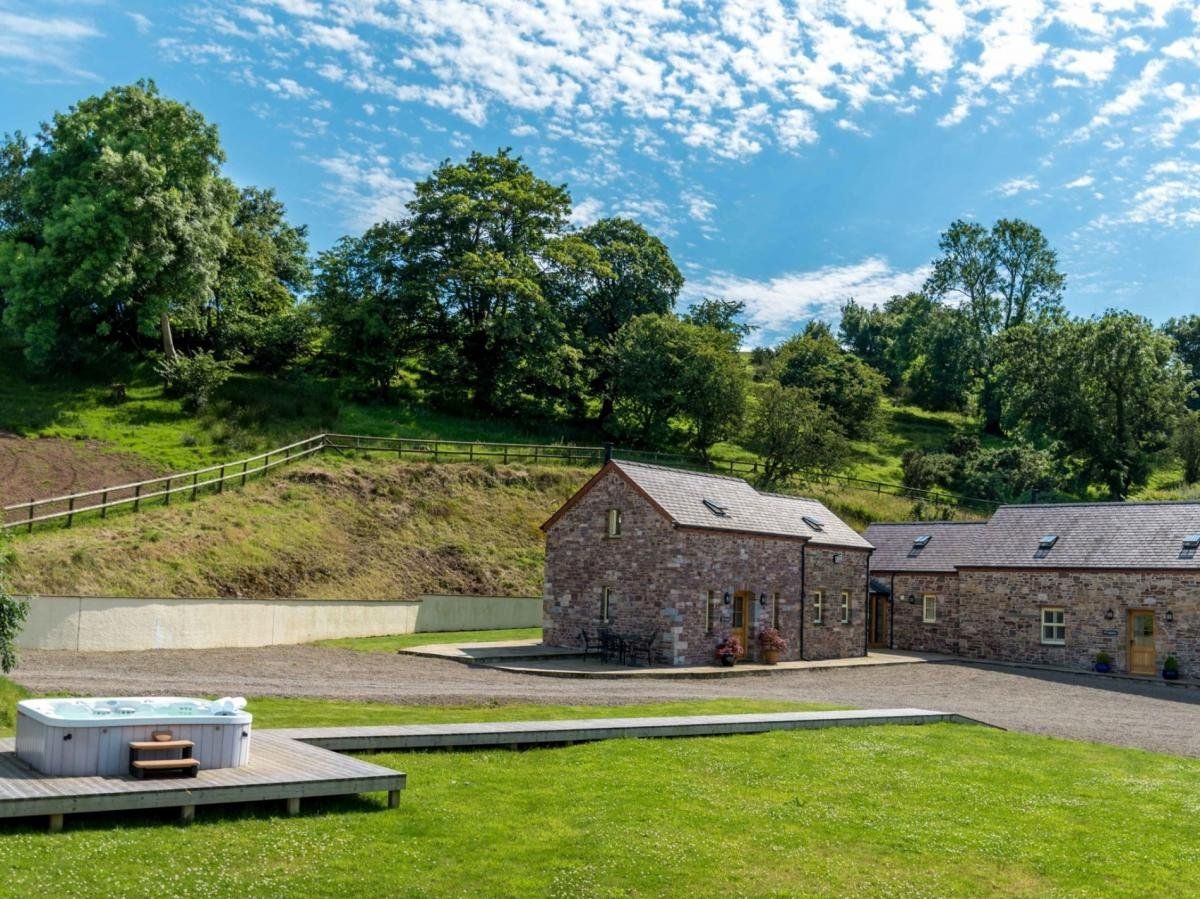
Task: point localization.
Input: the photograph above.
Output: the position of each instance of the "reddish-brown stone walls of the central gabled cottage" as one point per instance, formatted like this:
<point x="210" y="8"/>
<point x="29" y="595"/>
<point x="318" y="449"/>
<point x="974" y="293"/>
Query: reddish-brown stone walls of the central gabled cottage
<point x="661" y="579"/>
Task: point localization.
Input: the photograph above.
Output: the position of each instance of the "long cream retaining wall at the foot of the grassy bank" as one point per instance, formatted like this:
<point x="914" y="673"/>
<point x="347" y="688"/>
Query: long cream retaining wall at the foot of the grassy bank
<point x="112" y="624"/>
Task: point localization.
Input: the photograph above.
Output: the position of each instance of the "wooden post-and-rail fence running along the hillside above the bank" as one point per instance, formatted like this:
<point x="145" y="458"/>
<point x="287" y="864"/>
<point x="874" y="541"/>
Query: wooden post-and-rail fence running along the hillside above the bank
<point x="214" y="478"/>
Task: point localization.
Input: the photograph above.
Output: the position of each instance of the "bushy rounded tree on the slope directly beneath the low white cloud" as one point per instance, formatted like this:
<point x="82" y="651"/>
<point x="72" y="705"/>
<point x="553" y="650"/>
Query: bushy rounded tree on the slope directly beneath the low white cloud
<point x="838" y="380"/>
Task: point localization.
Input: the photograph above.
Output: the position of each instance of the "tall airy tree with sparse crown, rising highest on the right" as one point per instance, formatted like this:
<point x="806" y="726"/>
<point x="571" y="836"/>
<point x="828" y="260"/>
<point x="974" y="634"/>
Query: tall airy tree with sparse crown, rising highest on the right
<point x="999" y="278"/>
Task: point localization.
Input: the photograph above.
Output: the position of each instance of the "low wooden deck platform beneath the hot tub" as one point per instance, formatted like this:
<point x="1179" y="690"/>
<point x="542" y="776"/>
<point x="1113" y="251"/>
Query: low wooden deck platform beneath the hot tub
<point x="280" y="769"/>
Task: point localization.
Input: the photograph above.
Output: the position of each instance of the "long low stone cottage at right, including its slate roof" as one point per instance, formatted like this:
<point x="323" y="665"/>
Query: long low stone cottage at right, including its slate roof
<point x="1052" y="585"/>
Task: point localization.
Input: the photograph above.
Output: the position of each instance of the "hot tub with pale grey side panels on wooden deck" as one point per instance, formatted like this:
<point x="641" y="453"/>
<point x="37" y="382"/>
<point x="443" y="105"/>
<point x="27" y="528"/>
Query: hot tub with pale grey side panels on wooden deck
<point x="92" y="736"/>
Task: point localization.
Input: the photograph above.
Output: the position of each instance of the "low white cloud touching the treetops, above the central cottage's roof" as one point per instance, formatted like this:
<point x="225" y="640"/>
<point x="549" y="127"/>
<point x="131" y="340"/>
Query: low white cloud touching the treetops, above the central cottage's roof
<point x="785" y="302"/>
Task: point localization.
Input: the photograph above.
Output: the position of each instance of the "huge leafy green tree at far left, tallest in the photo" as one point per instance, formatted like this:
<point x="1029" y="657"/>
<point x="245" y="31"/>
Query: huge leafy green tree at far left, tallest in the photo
<point x="115" y="221"/>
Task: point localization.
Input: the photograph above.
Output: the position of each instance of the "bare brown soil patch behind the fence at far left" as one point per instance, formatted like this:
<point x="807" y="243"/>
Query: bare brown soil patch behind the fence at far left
<point x="38" y="469"/>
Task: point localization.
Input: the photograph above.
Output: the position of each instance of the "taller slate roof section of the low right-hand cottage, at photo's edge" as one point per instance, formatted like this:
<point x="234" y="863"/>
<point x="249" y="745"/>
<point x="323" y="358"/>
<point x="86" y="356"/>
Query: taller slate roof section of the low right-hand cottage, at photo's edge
<point x="1090" y="536"/>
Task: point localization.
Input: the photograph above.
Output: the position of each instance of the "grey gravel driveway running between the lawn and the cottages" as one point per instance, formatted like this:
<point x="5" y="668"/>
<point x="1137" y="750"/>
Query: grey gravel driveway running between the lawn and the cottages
<point x="1077" y="706"/>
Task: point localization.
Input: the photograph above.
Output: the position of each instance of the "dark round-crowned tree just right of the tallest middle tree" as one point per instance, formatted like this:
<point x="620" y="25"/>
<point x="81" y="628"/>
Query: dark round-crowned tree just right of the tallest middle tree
<point x="634" y="275"/>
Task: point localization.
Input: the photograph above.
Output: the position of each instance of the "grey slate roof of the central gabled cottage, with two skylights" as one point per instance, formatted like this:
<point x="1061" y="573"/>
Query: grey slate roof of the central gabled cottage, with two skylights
<point x="682" y="495"/>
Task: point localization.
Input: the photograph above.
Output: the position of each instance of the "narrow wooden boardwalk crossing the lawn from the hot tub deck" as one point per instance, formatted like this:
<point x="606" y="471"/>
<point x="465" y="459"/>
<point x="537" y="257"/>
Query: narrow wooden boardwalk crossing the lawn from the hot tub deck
<point x="520" y="734"/>
